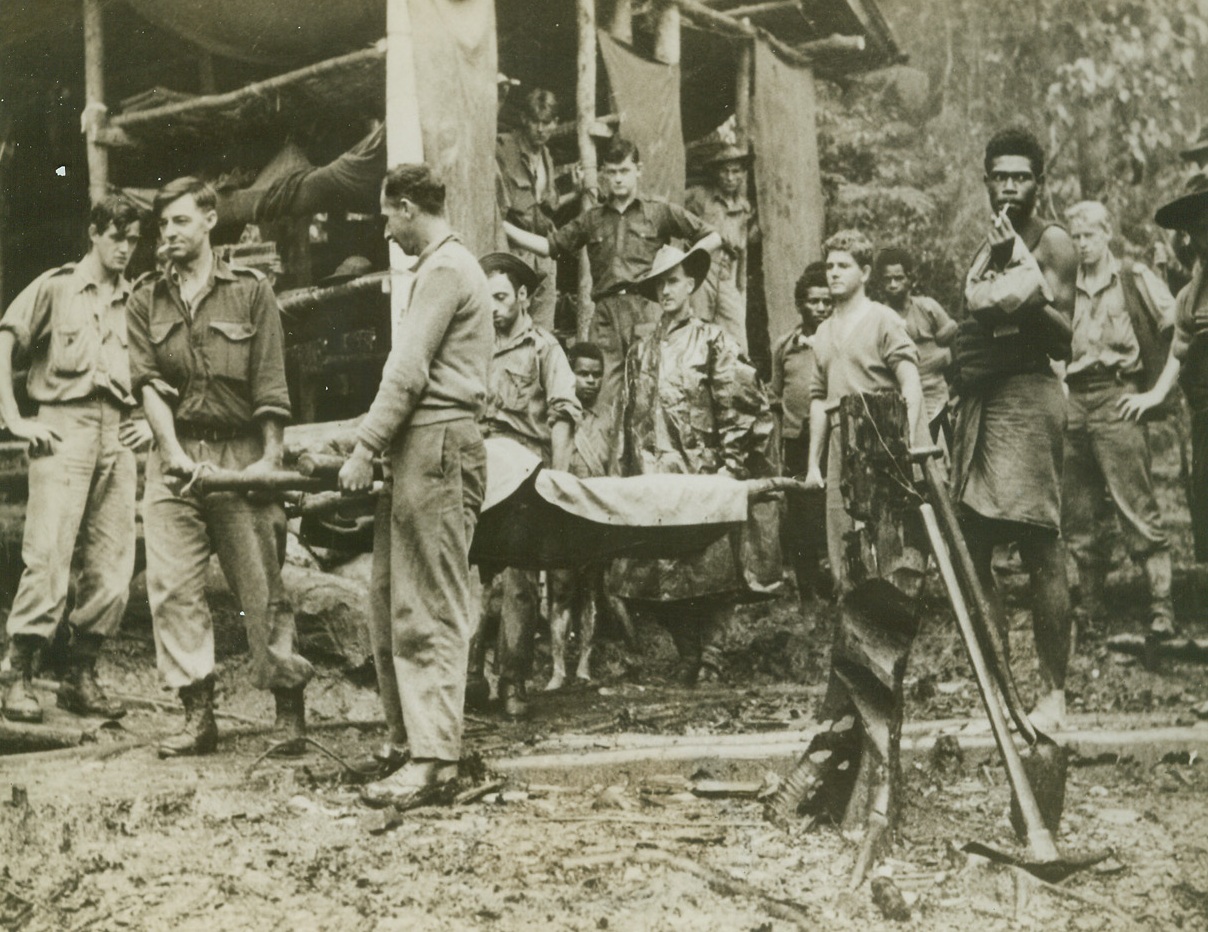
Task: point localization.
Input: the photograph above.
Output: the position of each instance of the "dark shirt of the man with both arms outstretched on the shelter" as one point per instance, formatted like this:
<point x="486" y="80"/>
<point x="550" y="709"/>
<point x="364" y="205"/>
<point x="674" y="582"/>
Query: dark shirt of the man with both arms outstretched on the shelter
<point x="622" y="246"/>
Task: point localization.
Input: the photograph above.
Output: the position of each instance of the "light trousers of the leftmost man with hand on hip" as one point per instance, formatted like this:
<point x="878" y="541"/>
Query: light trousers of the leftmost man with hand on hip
<point x="83" y="493"/>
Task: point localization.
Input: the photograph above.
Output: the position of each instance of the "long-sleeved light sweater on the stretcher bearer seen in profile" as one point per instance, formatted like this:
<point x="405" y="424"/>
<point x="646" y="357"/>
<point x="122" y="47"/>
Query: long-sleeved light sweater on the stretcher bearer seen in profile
<point x="438" y="366"/>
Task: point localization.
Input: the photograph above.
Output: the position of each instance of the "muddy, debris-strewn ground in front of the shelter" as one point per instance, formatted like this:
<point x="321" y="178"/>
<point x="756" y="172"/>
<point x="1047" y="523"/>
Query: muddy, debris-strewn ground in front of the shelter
<point x="115" y="840"/>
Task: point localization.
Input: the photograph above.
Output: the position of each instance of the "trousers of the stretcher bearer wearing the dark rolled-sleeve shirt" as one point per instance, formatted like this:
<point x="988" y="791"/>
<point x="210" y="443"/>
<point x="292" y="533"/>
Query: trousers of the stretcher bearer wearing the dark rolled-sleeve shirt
<point x="182" y="532"/>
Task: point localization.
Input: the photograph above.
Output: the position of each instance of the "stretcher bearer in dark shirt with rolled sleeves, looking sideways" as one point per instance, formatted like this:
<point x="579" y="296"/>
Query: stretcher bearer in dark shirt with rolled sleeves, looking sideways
<point x="207" y="353"/>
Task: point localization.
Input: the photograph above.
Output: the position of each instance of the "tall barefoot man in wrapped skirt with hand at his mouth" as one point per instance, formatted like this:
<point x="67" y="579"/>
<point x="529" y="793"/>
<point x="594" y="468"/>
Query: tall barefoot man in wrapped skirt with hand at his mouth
<point x="1010" y="417"/>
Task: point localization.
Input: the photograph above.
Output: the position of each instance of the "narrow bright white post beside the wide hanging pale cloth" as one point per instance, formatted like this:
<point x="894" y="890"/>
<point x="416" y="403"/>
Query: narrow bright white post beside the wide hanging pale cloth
<point x="404" y="136"/>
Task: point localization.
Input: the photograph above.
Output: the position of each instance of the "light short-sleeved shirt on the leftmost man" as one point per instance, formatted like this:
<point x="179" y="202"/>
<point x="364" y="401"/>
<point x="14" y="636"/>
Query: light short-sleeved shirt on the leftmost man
<point x="77" y="339"/>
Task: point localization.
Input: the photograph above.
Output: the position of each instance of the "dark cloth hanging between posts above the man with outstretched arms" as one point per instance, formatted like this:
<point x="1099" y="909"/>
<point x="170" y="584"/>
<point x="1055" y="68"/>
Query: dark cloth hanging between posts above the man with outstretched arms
<point x="647" y="97"/>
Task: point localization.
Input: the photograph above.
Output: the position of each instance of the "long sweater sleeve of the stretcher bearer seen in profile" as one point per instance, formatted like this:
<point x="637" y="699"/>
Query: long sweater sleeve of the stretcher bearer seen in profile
<point x="408" y="369"/>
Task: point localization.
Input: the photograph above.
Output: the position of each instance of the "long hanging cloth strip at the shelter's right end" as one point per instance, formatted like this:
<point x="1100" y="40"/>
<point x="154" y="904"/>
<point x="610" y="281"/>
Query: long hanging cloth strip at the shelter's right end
<point x="788" y="182"/>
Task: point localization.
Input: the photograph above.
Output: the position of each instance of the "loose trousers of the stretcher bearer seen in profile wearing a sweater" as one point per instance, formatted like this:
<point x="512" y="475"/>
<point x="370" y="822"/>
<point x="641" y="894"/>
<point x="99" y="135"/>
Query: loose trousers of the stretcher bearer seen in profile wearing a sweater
<point x="439" y="476"/>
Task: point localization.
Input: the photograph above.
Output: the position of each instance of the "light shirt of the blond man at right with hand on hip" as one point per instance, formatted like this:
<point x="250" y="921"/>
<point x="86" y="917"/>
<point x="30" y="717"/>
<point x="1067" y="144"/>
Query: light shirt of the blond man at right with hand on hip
<point x="1104" y="333"/>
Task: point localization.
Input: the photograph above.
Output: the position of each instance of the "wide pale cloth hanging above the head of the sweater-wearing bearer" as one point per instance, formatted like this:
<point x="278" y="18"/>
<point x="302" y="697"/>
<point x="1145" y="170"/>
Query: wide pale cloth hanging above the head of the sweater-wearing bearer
<point x="456" y="71"/>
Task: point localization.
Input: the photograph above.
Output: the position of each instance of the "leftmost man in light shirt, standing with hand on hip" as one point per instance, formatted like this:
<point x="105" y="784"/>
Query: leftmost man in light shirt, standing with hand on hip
<point x="72" y="321"/>
